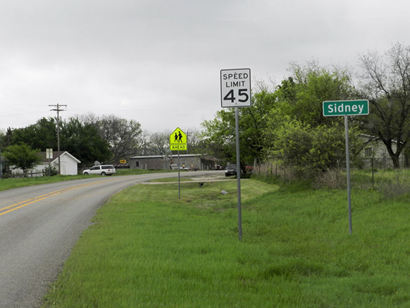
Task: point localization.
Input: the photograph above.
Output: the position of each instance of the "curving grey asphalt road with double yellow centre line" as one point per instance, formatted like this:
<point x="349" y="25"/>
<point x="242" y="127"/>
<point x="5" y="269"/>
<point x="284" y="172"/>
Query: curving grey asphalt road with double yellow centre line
<point x="40" y="224"/>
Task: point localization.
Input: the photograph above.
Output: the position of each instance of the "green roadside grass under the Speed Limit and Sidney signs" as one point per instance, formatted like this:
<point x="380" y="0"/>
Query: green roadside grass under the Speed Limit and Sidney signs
<point x="147" y="249"/>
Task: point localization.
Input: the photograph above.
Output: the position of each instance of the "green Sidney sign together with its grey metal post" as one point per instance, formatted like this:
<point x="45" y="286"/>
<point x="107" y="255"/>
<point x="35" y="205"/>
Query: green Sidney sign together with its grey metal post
<point x="346" y="109"/>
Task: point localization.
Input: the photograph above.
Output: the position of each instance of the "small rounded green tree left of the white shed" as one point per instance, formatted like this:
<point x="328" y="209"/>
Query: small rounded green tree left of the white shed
<point x="22" y="156"/>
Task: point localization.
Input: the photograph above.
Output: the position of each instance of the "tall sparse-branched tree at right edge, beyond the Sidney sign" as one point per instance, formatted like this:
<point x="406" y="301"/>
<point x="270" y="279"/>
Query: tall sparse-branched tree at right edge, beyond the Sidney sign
<point x="387" y="84"/>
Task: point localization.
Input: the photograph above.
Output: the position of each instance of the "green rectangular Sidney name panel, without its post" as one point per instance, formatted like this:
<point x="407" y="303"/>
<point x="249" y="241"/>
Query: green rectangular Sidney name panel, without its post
<point x="342" y="108"/>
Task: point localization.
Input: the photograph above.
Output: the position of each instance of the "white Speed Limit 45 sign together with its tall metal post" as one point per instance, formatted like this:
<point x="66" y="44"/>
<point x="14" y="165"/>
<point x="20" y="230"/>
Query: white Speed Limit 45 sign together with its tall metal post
<point x="235" y="93"/>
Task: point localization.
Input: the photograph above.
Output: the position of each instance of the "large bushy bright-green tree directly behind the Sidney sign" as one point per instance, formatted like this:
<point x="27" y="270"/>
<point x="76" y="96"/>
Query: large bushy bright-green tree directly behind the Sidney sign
<point x="296" y="131"/>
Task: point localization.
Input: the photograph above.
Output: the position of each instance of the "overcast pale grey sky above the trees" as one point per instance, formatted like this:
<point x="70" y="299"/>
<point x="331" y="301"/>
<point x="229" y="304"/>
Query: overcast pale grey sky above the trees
<point x="158" y="62"/>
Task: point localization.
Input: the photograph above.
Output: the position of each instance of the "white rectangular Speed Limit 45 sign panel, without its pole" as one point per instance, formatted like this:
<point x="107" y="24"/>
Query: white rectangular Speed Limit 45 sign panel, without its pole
<point x="236" y="87"/>
